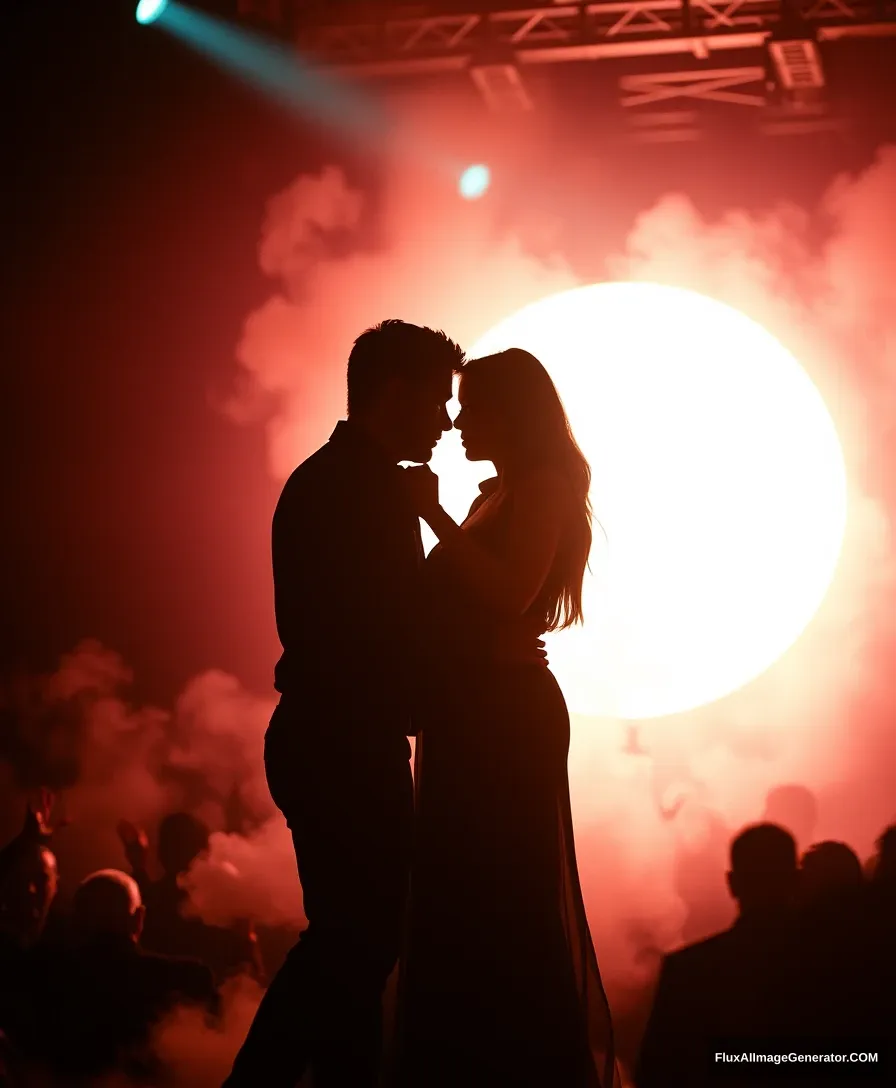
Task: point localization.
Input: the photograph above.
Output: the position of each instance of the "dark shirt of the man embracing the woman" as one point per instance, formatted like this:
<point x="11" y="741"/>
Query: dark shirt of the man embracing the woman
<point x="347" y="554"/>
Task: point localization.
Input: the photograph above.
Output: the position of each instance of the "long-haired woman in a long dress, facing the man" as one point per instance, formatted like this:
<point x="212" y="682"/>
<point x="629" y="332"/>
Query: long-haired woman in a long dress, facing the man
<point x="500" y="983"/>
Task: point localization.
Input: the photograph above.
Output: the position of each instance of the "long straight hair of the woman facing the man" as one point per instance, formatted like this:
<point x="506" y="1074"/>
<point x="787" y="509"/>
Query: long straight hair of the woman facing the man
<point x="515" y="387"/>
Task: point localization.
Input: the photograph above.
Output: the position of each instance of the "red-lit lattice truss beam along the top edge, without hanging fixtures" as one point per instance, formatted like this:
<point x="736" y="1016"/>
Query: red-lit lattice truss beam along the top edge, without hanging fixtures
<point x="561" y="33"/>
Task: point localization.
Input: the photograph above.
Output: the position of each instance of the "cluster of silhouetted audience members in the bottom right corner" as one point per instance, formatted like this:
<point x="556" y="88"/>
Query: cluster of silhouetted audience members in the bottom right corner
<point x="804" y="961"/>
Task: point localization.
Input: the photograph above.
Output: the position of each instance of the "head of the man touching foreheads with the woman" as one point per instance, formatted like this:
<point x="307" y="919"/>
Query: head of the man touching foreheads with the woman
<point x="400" y="382"/>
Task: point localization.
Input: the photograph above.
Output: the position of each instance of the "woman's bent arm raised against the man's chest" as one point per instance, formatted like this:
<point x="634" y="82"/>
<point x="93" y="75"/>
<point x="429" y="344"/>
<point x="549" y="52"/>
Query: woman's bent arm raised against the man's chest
<point x="514" y="584"/>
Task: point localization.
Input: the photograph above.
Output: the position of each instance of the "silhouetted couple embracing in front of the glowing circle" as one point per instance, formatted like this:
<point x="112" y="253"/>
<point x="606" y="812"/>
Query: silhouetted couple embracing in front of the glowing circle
<point x="499" y="980"/>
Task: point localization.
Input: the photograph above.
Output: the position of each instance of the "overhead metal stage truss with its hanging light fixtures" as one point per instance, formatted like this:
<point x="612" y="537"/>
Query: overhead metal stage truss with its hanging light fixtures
<point x="495" y="47"/>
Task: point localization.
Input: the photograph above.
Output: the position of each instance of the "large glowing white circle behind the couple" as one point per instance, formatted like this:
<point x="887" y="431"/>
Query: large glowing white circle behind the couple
<point x="718" y="477"/>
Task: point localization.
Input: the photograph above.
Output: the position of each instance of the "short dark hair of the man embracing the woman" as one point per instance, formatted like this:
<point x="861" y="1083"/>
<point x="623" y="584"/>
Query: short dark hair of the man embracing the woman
<point x="397" y="350"/>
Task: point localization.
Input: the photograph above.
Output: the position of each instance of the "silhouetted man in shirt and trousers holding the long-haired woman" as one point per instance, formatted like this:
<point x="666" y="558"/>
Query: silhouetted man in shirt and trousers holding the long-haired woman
<point x="347" y="553"/>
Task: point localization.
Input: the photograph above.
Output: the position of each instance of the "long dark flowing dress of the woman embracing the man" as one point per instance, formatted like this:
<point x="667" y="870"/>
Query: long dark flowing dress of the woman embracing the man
<point x="500" y="986"/>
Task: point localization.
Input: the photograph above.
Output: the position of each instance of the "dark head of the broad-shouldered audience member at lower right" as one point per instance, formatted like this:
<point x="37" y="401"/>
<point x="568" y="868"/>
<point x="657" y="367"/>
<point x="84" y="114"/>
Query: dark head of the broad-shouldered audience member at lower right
<point x="764" y="870"/>
